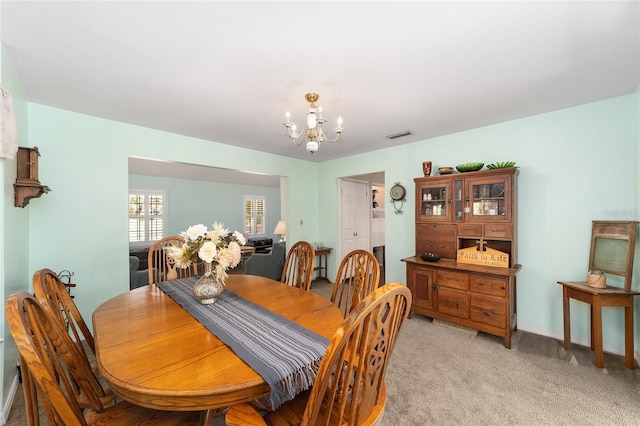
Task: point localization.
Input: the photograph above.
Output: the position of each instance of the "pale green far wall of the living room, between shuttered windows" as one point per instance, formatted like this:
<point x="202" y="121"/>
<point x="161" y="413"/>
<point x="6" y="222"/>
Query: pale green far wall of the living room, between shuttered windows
<point x="192" y="202"/>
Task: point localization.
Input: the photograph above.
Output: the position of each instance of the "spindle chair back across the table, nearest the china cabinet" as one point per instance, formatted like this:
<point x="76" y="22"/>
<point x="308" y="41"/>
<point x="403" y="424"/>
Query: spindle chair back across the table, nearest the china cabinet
<point x="358" y="275"/>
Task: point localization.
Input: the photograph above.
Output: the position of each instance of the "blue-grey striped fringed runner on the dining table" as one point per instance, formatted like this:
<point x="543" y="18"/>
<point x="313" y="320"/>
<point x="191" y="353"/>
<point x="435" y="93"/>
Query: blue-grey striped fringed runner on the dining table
<point x="285" y="354"/>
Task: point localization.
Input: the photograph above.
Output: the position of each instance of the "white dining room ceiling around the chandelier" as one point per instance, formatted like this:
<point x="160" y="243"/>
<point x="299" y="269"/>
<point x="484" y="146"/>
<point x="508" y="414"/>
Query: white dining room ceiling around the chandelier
<point x="228" y="71"/>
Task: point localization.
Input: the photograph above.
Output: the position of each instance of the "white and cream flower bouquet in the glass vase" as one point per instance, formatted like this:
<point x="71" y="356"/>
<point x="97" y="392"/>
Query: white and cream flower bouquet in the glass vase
<point x="217" y="247"/>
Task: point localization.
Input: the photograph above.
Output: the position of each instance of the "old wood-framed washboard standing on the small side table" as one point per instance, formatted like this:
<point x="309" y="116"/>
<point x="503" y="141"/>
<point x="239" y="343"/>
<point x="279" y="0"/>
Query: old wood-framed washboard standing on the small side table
<point x="613" y="246"/>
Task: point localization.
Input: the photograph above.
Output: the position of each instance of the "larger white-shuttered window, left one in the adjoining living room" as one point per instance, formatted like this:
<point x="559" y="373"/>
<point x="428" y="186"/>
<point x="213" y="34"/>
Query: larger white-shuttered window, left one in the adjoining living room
<point x="147" y="217"/>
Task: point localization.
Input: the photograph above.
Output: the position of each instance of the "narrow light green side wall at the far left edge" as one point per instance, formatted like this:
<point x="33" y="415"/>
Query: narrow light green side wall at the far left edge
<point x="14" y="229"/>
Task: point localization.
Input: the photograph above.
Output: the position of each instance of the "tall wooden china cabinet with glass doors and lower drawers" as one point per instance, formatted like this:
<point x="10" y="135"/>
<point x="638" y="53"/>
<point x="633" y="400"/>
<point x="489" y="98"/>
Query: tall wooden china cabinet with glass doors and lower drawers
<point x="474" y="211"/>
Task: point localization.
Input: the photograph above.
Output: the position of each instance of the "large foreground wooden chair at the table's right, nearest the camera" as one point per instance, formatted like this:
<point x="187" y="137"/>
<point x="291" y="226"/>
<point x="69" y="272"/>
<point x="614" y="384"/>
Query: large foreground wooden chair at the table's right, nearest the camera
<point x="349" y="388"/>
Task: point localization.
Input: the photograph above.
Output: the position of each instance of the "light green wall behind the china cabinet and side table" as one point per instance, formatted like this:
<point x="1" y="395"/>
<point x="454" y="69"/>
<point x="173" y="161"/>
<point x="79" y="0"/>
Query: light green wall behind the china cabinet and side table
<point x="576" y="165"/>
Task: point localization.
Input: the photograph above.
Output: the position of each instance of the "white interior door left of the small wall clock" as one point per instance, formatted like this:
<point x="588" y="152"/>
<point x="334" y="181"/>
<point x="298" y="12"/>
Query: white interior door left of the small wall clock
<point x="355" y="204"/>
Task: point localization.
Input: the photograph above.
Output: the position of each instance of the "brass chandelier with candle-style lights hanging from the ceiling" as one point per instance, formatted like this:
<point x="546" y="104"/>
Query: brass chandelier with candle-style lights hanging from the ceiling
<point x="312" y="135"/>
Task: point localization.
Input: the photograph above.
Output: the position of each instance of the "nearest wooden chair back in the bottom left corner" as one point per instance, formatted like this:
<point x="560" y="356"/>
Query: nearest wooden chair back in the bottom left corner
<point x="53" y="364"/>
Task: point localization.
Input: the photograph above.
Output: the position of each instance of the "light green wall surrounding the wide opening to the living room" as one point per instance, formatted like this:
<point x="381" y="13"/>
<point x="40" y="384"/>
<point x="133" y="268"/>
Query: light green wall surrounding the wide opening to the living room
<point x="82" y="224"/>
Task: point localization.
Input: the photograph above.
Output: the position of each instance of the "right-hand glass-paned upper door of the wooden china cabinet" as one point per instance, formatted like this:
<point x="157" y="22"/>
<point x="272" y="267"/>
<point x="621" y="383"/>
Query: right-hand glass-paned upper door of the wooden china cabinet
<point x="487" y="200"/>
